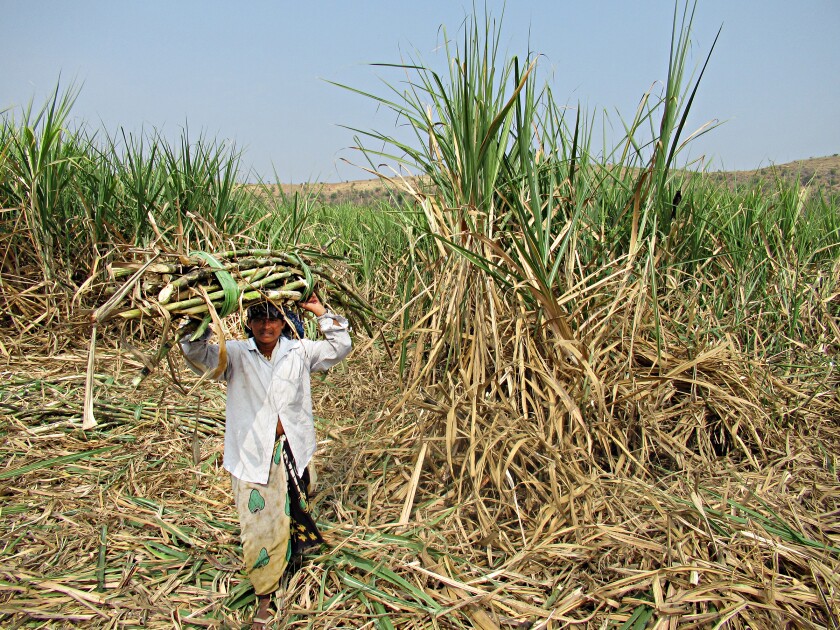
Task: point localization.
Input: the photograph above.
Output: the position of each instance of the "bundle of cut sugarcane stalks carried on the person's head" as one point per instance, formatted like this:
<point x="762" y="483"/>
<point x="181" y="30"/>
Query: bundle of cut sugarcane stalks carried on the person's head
<point x="205" y="288"/>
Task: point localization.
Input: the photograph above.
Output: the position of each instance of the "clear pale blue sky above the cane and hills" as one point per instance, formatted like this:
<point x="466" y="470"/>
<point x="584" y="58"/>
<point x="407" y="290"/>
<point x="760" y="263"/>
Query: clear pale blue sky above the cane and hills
<point x="255" y="73"/>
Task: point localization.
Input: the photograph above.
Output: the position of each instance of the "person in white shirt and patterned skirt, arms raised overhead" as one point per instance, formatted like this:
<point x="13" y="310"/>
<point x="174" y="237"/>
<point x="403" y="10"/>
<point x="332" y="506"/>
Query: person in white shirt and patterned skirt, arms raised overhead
<point x="269" y="432"/>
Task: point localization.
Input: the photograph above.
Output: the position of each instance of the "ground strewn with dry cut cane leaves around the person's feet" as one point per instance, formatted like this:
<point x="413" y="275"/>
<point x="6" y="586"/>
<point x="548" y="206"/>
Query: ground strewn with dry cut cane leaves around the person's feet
<point x="131" y="525"/>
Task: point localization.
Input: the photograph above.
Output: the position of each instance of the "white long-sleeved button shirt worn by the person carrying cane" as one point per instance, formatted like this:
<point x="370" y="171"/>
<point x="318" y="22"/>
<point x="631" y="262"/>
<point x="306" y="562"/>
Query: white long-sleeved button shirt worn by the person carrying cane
<point x="260" y="391"/>
